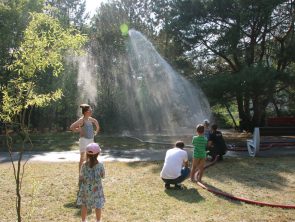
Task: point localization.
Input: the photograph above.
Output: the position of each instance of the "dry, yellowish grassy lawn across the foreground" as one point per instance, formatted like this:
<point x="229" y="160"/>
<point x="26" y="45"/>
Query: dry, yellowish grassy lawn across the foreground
<point x="134" y="192"/>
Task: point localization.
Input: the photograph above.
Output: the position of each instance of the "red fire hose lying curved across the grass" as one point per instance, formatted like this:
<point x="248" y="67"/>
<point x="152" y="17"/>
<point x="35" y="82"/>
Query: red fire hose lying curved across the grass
<point x="230" y="196"/>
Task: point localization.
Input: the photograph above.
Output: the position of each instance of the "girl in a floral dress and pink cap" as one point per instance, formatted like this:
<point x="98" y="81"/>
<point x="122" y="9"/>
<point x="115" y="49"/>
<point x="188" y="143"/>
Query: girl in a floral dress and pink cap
<point x="91" y="194"/>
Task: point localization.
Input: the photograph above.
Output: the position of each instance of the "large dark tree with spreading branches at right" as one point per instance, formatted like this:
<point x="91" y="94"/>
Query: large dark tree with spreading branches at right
<point x="246" y="40"/>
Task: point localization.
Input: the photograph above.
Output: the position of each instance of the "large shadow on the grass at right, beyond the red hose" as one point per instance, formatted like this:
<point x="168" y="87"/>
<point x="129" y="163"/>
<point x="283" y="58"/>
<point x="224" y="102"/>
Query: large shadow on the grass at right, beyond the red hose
<point x="254" y="172"/>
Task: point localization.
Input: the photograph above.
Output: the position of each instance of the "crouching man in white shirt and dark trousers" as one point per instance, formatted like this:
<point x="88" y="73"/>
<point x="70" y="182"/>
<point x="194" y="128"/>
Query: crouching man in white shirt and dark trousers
<point x="175" y="169"/>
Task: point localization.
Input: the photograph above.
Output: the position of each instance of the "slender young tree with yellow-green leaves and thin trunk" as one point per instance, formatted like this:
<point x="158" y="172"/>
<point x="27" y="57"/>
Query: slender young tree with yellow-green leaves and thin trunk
<point x="42" y="49"/>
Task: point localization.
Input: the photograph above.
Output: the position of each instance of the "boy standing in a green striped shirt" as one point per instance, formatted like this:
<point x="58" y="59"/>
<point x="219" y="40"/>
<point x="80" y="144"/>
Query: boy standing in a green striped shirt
<point x="199" y="157"/>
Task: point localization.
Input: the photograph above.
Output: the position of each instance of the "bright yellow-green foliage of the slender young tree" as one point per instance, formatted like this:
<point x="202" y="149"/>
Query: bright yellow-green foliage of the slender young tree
<point x="42" y="49"/>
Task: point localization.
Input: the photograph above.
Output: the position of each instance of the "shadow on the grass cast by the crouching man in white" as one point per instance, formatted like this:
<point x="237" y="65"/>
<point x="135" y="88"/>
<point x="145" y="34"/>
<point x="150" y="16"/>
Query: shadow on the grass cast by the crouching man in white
<point x="190" y="195"/>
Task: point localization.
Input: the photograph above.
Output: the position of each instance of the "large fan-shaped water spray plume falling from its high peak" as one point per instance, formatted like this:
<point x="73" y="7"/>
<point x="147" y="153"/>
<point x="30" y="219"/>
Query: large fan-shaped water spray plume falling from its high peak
<point x="159" y="98"/>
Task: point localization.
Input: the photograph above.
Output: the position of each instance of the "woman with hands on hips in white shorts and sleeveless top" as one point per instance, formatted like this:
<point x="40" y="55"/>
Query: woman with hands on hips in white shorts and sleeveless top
<point x="84" y="125"/>
